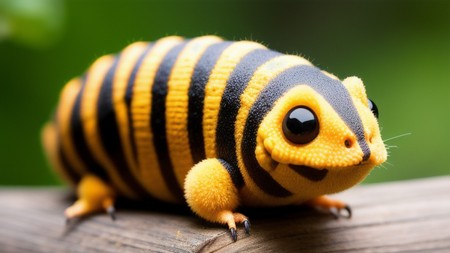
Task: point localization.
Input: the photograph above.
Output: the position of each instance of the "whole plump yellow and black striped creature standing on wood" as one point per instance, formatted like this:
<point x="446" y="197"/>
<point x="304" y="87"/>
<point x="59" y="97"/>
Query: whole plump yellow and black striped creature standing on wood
<point x="213" y="123"/>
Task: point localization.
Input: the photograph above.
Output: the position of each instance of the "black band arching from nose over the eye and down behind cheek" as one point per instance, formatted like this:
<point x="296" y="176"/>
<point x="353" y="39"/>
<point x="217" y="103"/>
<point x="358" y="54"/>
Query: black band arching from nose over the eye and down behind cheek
<point x="332" y="90"/>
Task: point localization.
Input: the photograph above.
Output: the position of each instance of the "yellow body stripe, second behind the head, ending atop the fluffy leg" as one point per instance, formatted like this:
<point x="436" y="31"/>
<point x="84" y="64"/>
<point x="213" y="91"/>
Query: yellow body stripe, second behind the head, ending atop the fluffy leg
<point x="215" y="87"/>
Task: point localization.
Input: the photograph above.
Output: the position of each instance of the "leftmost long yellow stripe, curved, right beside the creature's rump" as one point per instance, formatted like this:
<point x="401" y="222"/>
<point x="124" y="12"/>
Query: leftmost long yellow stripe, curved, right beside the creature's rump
<point x="67" y="101"/>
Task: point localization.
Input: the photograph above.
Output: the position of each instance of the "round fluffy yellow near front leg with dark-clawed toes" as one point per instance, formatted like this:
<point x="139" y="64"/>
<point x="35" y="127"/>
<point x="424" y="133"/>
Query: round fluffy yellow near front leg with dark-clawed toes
<point x="211" y="191"/>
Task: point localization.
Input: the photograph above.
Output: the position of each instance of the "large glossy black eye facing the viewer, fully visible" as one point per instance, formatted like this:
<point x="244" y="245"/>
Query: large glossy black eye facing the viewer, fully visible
<point x="300" y="125"/>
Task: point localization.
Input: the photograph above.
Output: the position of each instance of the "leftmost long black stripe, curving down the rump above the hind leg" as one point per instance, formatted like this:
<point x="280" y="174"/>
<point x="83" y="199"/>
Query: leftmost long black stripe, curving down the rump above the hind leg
<point x="79" y="140"/>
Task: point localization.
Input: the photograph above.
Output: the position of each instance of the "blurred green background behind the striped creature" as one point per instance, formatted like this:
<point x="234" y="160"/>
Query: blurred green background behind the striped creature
<point x="401" y="49"/>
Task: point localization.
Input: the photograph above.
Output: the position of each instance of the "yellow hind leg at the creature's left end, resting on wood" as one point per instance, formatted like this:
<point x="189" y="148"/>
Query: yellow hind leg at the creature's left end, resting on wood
<point x="94" y="196"/>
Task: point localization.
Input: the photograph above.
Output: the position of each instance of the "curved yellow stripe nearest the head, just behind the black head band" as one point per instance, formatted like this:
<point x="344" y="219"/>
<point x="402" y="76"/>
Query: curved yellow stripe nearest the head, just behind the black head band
<point x="259" y="80"/>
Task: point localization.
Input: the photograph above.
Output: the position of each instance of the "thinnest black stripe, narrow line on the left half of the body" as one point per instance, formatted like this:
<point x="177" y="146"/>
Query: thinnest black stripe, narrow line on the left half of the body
<point x="129" y="99"/>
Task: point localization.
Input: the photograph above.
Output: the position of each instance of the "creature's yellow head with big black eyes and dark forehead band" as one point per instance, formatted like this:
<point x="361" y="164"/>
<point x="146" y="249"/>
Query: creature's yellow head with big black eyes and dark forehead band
<point x="321" y="139"/>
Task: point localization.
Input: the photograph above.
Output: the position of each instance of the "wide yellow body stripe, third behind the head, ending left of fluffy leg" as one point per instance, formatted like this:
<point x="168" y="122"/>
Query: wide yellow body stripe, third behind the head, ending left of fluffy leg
<point x="177" y="105"/>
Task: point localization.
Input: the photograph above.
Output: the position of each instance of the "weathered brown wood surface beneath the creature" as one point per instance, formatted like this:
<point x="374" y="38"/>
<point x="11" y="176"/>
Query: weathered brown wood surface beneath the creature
<point x="410" y="216"/>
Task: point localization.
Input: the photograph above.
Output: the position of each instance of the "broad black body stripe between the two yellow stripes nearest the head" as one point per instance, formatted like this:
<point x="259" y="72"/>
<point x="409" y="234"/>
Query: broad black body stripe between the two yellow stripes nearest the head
<point x="230" y="103"/>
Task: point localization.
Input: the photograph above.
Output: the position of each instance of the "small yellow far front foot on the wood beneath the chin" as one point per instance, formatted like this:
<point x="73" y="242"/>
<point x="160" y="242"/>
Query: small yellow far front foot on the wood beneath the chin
<point x="330" y="205"/>
